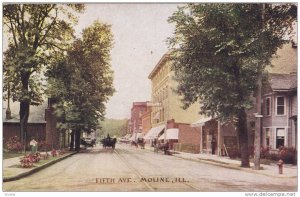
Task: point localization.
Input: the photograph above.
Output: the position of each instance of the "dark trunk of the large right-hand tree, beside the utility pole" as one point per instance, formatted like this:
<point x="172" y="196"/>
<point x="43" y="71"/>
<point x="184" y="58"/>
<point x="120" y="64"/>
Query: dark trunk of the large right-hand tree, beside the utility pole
<point x="243" y="137"/>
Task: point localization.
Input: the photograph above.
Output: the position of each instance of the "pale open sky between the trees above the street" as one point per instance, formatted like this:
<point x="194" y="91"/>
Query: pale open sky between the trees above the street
<point x="140" y="32"/>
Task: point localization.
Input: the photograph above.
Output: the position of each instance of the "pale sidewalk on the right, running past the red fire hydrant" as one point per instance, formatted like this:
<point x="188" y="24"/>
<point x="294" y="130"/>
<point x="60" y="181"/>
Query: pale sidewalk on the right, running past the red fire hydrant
<point x="289" y="171"/>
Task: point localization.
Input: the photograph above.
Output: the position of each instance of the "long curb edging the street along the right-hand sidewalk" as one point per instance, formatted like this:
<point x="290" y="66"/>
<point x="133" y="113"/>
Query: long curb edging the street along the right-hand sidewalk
<point x="231" y="166"/>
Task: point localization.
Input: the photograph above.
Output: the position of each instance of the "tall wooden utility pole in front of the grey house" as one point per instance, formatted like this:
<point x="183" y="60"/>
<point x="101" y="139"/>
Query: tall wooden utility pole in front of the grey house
<point x="258" y="116"/>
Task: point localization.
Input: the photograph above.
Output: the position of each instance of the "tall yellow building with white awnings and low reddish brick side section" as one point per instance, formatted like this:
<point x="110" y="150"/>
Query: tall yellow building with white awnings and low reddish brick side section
<point x="168" y="118"/>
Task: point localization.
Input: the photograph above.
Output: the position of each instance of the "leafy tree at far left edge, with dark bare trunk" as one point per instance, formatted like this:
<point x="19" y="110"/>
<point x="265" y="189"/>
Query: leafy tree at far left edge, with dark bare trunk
<point x="37" y="34"/>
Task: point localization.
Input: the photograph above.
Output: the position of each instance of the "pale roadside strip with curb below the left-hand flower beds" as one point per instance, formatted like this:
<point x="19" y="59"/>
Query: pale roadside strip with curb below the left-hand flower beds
<point x="12" y="169"/>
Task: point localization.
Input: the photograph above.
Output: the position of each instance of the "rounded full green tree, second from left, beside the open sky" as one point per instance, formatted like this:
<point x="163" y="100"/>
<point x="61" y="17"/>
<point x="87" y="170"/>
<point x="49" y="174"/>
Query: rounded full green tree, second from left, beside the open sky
<point x="82" y="82"/>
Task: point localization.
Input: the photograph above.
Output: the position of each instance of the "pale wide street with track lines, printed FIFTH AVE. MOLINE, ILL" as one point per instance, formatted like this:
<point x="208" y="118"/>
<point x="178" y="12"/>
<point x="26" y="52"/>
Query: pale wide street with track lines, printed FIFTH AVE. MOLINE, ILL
<point x="131" y="169"/>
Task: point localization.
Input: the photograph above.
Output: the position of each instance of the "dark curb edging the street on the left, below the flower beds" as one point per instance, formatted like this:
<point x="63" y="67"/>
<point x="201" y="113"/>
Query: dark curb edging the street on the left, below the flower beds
<point x="24" y="174"/>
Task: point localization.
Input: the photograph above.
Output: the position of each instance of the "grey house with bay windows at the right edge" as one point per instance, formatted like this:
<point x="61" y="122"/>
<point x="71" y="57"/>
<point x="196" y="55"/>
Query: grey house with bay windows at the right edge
<point x="280" y="111"/>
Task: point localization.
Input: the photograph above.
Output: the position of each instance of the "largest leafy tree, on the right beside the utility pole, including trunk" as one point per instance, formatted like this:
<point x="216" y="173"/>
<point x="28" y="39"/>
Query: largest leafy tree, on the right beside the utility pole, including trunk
<point x="218" y="52"/>
